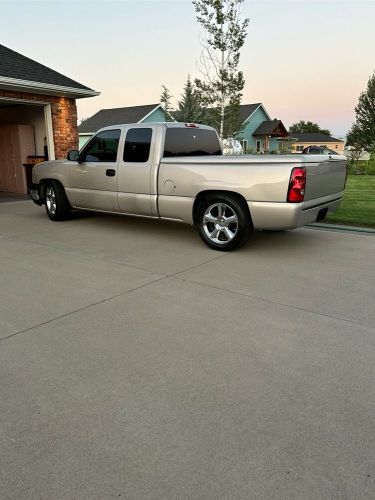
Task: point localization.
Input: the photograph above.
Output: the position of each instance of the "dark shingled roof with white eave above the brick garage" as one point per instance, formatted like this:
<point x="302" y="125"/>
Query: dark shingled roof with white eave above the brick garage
<point x="20" y="72"/>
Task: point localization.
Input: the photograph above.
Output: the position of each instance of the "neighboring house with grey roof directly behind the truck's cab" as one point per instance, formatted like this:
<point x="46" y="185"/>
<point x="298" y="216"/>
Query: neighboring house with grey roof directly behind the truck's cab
<point x="116" y="116"/>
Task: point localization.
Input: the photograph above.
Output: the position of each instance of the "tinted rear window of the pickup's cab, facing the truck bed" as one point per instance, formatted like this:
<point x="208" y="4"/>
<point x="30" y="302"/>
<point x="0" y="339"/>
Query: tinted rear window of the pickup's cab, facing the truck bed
<point x="191" y="142"/>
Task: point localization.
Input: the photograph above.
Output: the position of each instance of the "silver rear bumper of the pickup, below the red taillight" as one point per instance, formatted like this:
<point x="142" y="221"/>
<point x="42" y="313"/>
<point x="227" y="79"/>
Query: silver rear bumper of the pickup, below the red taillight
<point x="277" y="216"/>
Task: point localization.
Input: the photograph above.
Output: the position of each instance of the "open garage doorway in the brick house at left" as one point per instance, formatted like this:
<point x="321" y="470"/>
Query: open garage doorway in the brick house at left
<point x="25" y="139"/>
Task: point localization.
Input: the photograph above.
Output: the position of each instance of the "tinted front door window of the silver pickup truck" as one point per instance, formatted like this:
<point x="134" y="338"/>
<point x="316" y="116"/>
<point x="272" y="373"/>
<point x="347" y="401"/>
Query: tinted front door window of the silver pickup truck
<point x="102" y="147"/>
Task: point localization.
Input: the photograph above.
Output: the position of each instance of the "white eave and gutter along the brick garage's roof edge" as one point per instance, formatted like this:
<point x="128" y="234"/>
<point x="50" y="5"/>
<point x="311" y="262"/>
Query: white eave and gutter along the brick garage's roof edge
<point x="45" y="88"/>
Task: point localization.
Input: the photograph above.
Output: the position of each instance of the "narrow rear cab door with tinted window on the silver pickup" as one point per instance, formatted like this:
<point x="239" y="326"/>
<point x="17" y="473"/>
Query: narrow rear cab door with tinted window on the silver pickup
<point x="137" y="171"/>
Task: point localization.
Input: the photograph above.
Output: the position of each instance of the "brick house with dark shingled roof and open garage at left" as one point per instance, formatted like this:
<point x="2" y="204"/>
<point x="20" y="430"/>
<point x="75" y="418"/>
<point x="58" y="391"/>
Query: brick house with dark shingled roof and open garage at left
<point x="38" y="116"/>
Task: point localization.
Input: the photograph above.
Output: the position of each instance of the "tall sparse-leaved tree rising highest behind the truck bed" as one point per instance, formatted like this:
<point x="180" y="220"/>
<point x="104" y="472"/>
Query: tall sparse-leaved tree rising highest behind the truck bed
<point x="222" y="84"/>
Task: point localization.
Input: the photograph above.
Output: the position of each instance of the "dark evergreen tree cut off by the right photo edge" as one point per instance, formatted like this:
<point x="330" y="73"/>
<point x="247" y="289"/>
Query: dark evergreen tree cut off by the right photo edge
<point x="362" y="132"/>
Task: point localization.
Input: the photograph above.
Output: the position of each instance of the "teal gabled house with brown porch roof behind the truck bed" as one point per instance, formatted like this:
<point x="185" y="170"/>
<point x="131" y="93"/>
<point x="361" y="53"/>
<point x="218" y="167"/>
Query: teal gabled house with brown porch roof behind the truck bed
<point x="261" y="134"/>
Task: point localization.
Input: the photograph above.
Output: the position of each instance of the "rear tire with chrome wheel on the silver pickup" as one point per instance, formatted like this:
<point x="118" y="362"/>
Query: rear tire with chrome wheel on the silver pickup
<point x="223" y="222"/>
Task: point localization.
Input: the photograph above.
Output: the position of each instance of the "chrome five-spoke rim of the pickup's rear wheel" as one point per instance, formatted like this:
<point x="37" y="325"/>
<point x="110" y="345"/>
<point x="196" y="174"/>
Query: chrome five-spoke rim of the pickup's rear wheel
<point x="220" y="223"/>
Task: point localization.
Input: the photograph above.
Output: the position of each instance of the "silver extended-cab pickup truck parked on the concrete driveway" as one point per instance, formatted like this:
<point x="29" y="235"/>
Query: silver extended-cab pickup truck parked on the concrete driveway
<point x="176" y="171"/>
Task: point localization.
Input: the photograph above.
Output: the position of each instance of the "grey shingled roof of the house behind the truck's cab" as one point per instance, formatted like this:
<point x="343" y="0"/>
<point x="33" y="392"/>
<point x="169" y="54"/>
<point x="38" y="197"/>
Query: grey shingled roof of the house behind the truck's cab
<point x="116" y="116"/>
